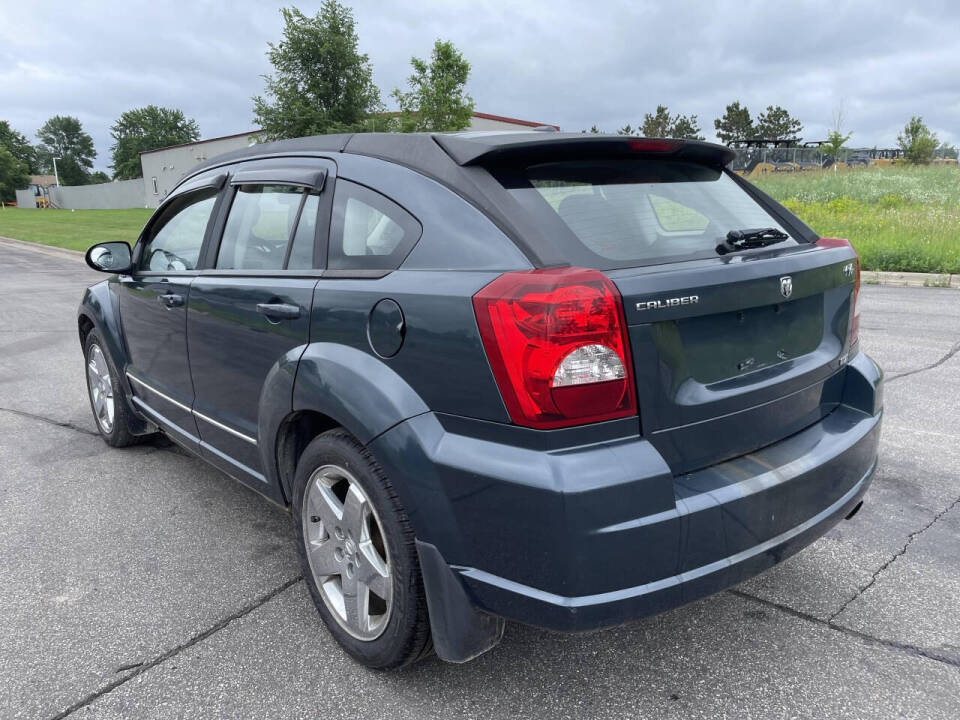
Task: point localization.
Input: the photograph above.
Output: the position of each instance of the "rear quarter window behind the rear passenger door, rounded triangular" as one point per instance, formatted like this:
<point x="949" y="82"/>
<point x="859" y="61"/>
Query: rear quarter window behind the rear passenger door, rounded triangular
<point x="368" y="231"/>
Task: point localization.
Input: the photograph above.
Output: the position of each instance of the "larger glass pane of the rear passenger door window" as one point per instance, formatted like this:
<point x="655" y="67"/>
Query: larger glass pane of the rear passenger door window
<point x="259" y="227"/>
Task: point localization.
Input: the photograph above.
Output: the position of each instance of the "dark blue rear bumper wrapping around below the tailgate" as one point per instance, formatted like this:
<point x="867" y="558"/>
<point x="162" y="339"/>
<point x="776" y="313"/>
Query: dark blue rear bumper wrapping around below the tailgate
<point x="582" y="537"/>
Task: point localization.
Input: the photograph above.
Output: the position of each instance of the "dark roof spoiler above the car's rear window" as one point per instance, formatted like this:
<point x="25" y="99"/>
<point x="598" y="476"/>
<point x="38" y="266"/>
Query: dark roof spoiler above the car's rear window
<point x="530" y="147"/>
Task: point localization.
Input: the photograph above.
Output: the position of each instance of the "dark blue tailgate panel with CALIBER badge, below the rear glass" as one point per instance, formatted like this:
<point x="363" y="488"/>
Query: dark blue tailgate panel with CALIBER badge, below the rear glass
<point x="734" y="355"/>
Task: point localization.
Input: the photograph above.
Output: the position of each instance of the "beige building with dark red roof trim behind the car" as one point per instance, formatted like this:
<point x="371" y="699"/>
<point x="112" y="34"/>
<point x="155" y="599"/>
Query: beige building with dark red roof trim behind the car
<point x="163" y="167"/>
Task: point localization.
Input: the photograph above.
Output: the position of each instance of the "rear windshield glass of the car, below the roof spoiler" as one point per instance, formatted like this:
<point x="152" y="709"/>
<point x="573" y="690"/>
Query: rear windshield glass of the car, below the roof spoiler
<point x="624" y="213"/>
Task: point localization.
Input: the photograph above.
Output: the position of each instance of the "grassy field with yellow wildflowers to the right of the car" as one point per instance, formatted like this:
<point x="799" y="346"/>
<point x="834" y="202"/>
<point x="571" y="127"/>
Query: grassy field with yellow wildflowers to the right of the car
<point x="904" y="219"/>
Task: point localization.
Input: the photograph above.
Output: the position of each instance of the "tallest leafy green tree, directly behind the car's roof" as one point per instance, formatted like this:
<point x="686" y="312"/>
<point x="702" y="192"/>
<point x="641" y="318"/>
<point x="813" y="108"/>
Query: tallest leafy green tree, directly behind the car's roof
<point x="321" y="82"/>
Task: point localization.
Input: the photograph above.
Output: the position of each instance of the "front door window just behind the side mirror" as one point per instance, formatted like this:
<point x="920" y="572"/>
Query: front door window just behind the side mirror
<point x="175" y="239"/>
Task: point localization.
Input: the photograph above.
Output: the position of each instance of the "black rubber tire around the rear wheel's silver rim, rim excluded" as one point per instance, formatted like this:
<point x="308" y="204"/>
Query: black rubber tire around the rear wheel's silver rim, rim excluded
<point x="406" y="637"/>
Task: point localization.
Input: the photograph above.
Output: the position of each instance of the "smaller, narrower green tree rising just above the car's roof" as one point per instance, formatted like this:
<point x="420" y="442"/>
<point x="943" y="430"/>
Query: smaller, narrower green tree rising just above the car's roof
<point x="436" y="100"/>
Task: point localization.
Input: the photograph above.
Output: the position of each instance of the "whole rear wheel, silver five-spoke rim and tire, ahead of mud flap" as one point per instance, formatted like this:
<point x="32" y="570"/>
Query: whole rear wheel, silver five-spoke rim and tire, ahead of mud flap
<point x="358" y="554"/>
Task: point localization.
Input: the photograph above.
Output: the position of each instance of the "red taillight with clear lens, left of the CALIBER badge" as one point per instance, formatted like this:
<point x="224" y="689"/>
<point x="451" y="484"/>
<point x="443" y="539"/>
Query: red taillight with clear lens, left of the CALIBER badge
<point x="557" y="343"/>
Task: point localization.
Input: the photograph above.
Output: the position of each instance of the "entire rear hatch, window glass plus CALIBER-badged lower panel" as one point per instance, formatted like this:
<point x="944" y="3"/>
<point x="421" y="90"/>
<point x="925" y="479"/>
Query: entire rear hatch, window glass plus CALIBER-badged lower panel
<point x="731" y="352"/>
